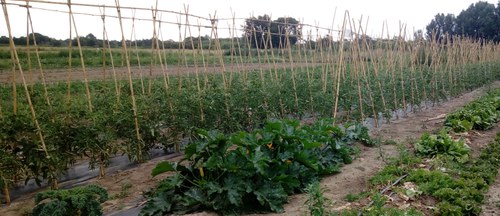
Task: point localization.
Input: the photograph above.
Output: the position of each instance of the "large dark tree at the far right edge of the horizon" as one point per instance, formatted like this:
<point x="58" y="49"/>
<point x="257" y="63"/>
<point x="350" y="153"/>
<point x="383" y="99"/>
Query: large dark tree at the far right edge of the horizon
<point x="479" y="21"/>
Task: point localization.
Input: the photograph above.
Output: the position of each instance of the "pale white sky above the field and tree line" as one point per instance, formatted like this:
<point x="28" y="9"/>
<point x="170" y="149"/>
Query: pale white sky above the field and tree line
<point x="328" y="14"/>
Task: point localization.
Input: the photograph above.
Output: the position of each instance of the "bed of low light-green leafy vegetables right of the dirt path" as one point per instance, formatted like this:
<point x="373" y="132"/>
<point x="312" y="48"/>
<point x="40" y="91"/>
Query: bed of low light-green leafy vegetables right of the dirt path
<point x="442" y="168"/>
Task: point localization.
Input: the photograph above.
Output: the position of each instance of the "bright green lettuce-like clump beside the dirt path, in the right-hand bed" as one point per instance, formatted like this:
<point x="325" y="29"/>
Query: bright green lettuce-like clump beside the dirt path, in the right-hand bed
<point x="442" y="145"/>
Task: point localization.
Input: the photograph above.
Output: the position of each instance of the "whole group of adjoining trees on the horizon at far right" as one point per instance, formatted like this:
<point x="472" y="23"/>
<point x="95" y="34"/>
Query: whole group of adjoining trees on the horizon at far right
<point x="479" y="21"/>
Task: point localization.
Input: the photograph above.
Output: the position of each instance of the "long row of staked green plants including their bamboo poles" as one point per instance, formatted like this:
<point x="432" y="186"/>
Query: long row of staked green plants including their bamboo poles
<point x="47" y="127"/>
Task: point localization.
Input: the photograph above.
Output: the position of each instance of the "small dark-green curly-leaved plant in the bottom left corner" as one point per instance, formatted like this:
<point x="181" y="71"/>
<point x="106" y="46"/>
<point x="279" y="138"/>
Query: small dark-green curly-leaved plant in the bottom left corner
<point x="76" y="201"/>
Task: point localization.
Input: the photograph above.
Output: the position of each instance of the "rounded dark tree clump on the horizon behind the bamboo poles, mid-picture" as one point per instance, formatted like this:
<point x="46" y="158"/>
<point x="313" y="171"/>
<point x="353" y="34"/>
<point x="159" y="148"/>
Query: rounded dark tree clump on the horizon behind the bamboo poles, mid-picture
<point x="261" y="32"/>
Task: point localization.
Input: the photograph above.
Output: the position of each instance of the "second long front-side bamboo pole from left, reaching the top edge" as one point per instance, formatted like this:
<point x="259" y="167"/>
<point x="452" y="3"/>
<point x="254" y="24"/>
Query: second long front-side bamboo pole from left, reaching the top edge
<point x="129" y="72"/>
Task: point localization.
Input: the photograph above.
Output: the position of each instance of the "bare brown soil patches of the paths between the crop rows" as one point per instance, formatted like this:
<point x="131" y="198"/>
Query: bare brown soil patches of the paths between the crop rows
<point x="126" y="187"/>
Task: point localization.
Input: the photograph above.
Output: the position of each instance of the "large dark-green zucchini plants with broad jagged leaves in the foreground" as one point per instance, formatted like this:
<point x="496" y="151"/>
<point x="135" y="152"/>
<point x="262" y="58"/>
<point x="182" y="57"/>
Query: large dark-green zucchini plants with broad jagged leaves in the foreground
<point x="251" y="170"/>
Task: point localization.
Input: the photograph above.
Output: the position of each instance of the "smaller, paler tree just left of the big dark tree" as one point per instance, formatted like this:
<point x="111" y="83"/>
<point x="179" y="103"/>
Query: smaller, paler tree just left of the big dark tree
<point x="441" y="26"/>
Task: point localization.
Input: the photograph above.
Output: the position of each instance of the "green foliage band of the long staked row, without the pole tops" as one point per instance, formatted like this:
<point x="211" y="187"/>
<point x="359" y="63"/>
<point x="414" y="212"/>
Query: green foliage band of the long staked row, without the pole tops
<point x="100" y="119"/>
